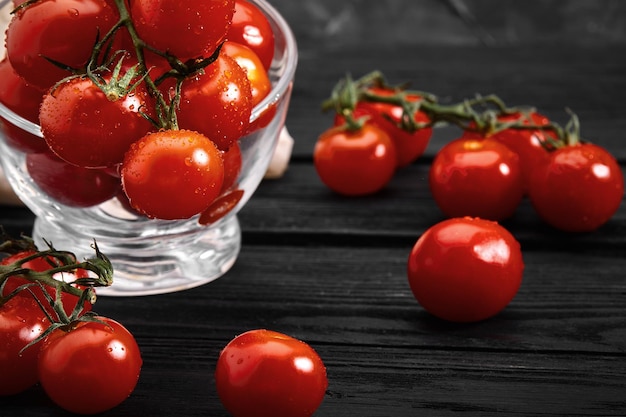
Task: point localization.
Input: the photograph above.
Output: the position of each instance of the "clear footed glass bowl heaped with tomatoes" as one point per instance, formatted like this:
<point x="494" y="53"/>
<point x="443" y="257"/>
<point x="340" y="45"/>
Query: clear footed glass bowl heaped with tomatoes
<point x="153" y="256"/>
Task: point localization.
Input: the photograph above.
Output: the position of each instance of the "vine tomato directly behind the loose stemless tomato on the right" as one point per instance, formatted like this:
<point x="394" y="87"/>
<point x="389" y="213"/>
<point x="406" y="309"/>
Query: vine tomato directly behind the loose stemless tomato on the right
<point x="473" y="177"/>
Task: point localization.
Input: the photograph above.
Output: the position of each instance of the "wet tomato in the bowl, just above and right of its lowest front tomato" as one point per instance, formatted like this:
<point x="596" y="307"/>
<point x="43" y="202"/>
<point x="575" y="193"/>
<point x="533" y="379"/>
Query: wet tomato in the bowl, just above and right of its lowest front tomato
<point x="216" y="102"/>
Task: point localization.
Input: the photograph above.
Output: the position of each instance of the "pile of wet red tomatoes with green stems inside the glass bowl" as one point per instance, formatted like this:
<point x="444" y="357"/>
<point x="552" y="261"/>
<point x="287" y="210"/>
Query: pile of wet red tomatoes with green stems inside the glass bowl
<point x="137" y="100"/>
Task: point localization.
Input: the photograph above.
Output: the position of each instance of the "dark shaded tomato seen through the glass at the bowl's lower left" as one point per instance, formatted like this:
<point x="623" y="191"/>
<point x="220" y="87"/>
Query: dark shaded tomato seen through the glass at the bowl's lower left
<point x="68" y="184"/>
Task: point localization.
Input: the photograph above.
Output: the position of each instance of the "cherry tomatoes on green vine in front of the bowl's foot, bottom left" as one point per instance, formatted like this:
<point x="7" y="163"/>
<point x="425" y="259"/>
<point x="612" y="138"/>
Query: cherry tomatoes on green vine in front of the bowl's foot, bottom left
<point x="48" y="329"/>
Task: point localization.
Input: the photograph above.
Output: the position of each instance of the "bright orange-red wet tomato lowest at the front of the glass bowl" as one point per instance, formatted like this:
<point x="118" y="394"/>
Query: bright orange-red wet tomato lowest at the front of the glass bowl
<point x="183" y="165"/>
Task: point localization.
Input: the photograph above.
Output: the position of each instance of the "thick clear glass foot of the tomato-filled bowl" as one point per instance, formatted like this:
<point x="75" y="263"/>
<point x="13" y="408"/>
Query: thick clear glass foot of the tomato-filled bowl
<point x="147" y="266"/>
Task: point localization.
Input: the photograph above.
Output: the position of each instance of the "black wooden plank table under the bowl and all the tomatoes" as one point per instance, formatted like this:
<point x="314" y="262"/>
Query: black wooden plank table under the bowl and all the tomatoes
<point x="331" y="270"/>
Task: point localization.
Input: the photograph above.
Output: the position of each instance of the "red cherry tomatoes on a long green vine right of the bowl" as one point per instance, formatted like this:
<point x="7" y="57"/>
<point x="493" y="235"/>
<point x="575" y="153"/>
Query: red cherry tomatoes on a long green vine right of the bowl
<point x="501" y="156"/>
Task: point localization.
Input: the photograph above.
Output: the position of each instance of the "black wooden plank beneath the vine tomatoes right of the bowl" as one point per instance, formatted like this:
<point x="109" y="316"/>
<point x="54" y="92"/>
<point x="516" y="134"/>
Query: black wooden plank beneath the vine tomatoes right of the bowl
<point x="300" y="207"/>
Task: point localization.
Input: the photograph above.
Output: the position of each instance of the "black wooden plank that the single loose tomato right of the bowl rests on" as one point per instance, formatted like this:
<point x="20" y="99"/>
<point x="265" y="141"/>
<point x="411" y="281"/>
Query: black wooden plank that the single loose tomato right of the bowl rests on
<point x="361" y="296"/>
